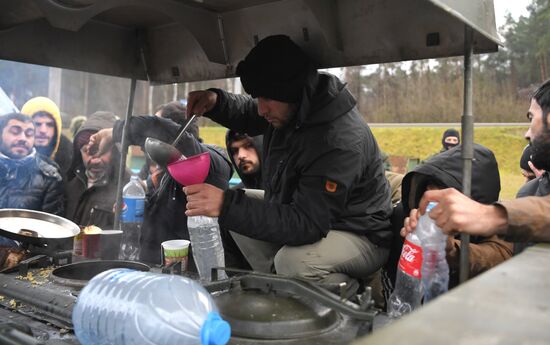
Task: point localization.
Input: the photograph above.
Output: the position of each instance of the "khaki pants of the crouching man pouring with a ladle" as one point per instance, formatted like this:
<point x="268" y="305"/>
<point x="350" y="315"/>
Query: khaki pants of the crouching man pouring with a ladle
<point x="339" y="253"/>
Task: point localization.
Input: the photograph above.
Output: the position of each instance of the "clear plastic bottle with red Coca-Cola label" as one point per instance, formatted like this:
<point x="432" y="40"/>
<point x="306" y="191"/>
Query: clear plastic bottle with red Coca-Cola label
<point x="407" y="294"/>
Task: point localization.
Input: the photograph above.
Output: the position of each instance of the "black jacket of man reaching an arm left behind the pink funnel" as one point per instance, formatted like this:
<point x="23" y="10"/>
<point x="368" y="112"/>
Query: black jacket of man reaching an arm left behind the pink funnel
<point x="164" y="217"/>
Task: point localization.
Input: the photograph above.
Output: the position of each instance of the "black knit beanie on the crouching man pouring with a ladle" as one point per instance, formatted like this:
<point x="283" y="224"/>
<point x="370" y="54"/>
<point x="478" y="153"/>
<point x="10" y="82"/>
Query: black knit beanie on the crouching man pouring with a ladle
<point x="276" y="68"/>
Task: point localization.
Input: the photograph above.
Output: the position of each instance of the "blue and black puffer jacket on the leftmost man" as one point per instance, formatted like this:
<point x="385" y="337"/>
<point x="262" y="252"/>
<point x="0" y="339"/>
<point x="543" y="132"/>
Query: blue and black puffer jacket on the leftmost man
<point x="32" y="183"/>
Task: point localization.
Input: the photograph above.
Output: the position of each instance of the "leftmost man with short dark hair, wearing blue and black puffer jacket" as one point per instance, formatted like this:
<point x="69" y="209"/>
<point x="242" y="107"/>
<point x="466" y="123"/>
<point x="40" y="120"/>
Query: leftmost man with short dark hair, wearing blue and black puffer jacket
<point x="28" y="180"/>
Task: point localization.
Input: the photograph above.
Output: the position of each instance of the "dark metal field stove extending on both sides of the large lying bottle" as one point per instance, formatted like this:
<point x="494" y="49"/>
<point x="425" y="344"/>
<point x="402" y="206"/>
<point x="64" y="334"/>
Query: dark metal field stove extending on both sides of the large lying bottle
<point x="261" y="308"/>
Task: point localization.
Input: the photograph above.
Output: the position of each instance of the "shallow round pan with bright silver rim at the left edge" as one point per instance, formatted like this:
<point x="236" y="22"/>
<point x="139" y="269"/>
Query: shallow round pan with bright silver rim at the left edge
<point x="37" y="228"/>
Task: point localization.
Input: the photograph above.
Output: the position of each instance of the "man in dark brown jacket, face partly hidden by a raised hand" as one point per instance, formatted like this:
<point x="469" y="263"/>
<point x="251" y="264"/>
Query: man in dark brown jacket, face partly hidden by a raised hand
<point x="91" y="190"/>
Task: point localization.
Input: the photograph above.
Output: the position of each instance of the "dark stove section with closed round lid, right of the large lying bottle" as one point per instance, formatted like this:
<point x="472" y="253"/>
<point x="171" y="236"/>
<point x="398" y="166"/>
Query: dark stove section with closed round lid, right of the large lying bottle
<point x="271" y="309"/>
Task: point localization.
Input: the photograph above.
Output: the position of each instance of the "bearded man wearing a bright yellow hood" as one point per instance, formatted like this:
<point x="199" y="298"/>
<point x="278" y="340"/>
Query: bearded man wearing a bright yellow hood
<point x="48" y="138"/>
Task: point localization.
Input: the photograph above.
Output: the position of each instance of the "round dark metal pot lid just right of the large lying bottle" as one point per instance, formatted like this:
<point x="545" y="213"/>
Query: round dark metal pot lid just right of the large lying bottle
<point x="274" y="315"/>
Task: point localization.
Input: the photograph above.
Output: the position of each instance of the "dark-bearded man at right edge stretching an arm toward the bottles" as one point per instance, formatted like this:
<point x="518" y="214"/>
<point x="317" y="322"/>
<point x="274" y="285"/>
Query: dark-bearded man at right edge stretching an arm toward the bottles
<point x="521" y="220"/>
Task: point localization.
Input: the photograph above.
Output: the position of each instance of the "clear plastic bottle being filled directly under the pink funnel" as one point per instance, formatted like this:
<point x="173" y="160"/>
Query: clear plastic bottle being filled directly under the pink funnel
<point x="206" y="246"/>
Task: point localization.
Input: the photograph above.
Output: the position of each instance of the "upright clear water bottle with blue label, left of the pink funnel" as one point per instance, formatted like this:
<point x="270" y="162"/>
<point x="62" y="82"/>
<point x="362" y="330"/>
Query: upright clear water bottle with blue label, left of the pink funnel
<point x="132" y="217"/>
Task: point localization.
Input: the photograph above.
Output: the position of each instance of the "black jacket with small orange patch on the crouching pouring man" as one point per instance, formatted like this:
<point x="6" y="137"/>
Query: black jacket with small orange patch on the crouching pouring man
<point x="322" y="172"/>
